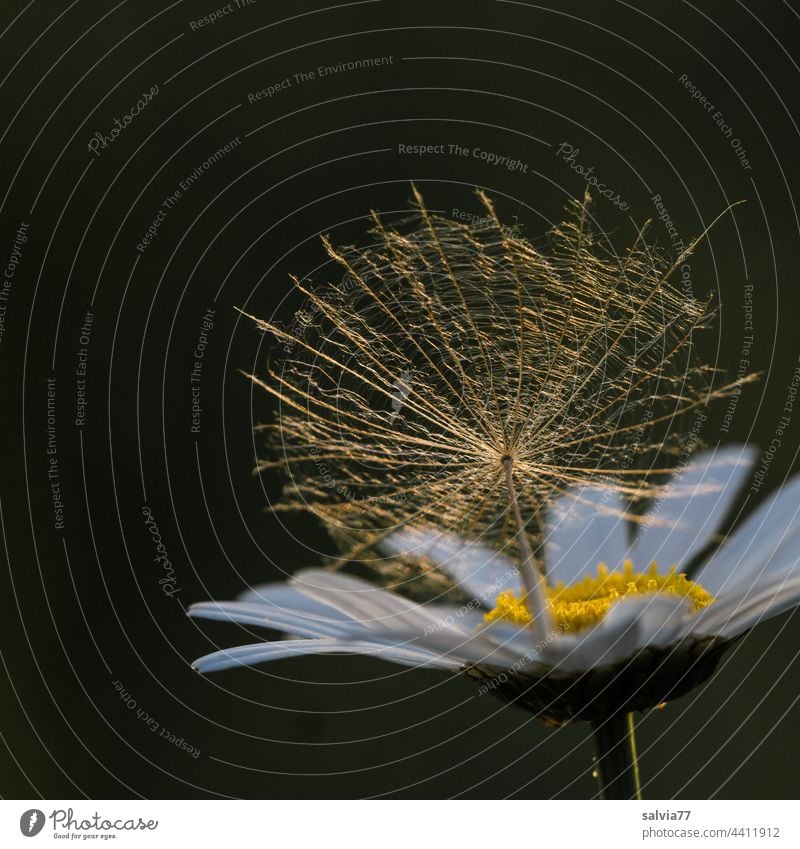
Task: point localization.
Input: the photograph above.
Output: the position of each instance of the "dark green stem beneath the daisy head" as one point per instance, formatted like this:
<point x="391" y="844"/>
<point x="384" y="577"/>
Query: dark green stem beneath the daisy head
<point x="615" y="765"/>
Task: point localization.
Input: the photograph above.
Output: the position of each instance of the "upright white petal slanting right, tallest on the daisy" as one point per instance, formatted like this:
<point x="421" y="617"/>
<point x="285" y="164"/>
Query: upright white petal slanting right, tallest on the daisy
<point x="690" y="512"/>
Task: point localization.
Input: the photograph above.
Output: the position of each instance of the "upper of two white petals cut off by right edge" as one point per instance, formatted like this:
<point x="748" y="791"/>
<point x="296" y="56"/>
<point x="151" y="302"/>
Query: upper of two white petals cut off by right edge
<point x="763" y="545"/>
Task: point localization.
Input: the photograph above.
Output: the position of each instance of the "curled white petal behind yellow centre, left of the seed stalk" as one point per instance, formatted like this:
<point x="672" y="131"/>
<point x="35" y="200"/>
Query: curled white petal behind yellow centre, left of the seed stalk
<point x="483" y="572"/>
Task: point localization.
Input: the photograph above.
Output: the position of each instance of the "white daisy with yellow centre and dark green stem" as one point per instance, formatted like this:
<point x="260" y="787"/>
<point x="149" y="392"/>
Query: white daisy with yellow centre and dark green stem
<point x="615" y="625"/>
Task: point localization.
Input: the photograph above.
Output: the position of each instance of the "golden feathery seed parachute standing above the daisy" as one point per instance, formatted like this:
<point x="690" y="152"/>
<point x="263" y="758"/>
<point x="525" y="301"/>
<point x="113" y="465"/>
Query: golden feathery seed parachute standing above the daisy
<point x="448" y="351"/>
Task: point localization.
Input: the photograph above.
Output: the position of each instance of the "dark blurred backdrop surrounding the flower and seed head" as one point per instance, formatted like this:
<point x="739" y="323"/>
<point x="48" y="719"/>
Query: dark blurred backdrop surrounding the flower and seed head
<point x="165" y="165"/>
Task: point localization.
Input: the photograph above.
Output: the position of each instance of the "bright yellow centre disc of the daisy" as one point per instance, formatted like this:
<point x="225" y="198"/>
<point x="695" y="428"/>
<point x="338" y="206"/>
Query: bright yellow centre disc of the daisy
<point x="586" y="602"/>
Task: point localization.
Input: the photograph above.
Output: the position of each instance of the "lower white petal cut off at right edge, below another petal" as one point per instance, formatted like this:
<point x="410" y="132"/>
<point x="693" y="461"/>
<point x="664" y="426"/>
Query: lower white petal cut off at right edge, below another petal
<point x="733" y="615"/>
